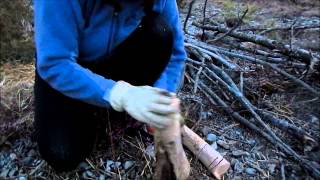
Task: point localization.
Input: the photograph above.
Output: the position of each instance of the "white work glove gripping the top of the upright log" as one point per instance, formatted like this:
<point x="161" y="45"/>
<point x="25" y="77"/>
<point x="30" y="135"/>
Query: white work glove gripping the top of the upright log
<point x="144" y="103"/>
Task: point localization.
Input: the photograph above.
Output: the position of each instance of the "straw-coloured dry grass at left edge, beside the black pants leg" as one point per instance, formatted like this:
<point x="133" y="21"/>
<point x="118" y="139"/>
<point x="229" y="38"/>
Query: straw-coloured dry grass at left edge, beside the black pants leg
<point x="16" y="95"/>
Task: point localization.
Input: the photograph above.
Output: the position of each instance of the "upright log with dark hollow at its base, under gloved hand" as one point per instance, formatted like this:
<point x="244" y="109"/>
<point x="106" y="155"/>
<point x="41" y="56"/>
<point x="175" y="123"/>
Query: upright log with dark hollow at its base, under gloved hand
<point x="172" y="162"/>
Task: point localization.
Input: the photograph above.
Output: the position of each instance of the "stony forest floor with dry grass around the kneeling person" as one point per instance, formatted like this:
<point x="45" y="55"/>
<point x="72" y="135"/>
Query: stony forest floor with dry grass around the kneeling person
<point x="132" y="157"/>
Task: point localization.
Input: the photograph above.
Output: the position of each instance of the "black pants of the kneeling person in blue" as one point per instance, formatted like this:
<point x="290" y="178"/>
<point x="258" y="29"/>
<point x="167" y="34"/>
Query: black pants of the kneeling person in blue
<point x="66" y="128"/>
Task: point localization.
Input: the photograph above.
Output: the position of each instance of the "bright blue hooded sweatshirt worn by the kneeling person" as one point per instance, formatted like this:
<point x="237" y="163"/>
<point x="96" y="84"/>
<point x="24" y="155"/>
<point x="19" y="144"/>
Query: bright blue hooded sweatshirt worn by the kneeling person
<point x="68" y="29"/>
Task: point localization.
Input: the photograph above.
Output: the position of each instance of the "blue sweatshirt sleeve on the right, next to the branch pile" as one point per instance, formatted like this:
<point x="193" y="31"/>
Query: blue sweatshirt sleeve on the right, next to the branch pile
<point x="171" y="78"/>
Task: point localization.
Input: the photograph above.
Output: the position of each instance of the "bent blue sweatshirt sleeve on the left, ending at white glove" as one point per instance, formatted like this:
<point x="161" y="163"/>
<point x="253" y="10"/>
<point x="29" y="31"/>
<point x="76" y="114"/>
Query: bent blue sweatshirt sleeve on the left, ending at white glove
<point x="57" y="26"/>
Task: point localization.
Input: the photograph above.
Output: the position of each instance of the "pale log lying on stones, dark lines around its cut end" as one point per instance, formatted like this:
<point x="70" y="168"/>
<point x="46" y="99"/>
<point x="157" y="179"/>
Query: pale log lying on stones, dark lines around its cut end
<point x="212" y="159"/>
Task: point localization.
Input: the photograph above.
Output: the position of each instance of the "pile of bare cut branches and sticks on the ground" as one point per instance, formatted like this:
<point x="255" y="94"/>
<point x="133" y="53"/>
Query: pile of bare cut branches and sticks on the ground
<point x="216" y="67"/>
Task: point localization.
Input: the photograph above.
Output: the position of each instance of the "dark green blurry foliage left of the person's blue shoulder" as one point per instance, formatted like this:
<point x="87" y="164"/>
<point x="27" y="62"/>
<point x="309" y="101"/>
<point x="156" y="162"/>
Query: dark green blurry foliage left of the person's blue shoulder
<point x="16" y="32"/>
